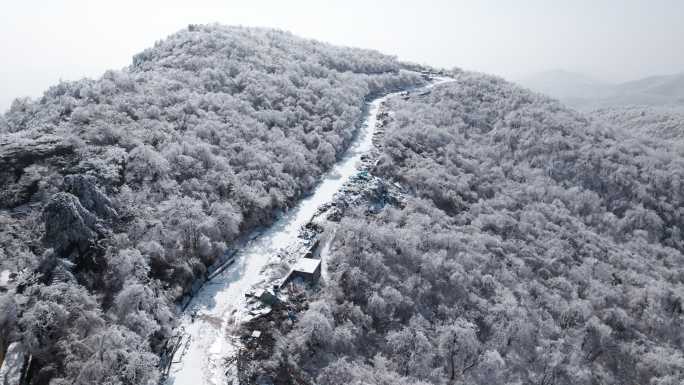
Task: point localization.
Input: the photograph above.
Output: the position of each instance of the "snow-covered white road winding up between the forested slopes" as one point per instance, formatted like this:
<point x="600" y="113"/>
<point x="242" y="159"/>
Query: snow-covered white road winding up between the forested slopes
<point x="207" y="344"/>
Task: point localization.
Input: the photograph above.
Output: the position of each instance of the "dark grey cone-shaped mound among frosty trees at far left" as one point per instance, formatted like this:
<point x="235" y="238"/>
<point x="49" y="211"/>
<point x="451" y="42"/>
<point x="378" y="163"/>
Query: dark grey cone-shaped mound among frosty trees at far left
<point x="69" y="227"/>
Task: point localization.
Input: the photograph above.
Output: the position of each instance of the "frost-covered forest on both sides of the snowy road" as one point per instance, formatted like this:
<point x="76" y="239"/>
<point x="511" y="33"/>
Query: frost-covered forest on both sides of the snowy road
<point x="534" y="245"/>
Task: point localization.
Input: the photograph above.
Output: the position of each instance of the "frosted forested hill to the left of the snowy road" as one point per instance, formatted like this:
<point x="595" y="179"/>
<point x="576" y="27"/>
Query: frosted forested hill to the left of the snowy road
<point x="117" y="193"/>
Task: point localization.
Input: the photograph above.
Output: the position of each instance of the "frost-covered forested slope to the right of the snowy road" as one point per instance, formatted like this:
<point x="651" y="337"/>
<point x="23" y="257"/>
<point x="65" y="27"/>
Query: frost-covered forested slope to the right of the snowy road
<point x="534" y="247"/>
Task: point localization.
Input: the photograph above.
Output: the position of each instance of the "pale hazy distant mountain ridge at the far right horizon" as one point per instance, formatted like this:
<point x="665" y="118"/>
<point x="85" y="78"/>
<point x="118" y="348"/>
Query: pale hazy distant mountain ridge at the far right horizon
<point x="580" y="91"/>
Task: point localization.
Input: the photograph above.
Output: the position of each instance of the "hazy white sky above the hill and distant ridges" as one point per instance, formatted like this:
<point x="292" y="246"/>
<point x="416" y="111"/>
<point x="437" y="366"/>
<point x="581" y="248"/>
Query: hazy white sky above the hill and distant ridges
<point x="43" y="41"/>
